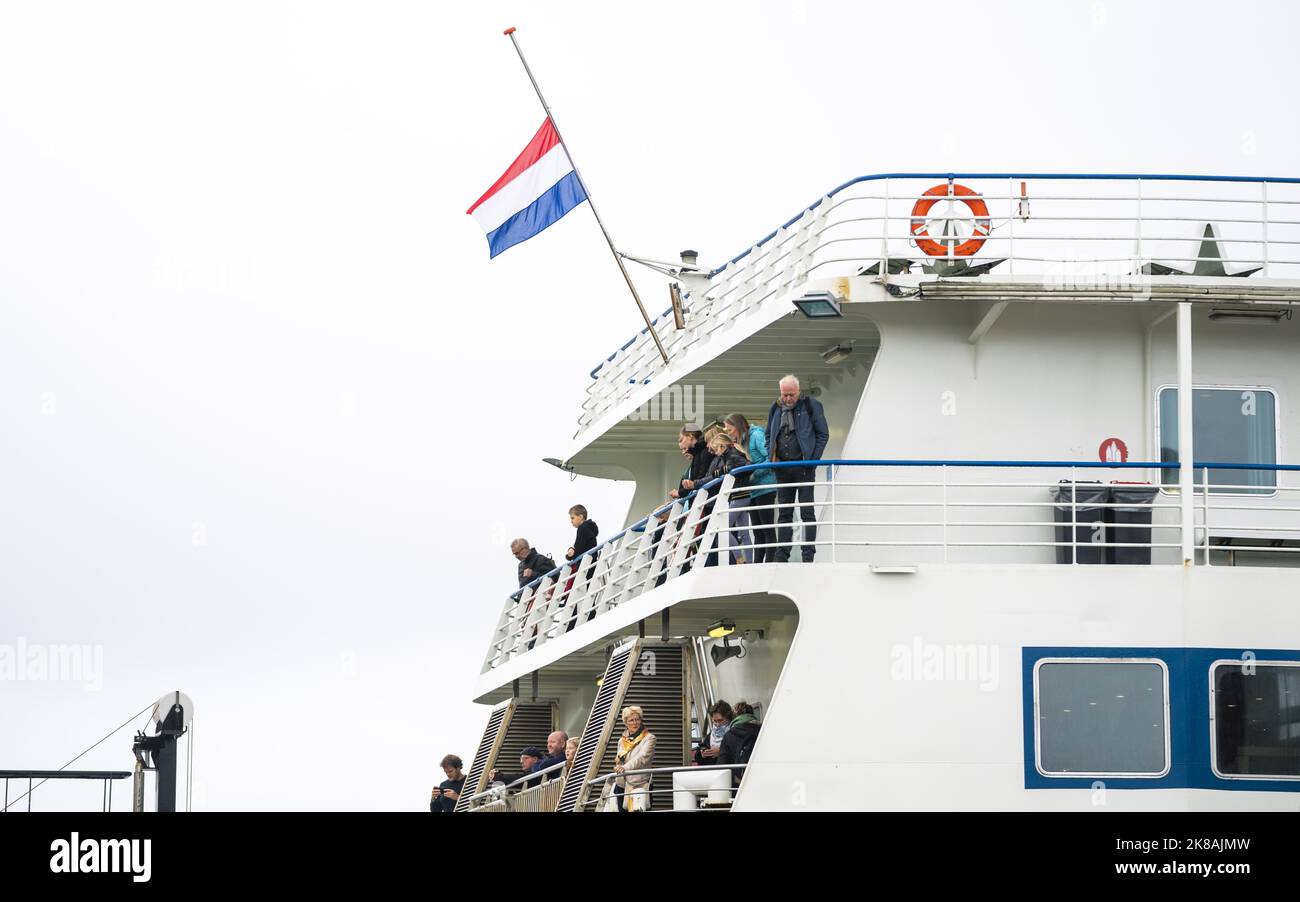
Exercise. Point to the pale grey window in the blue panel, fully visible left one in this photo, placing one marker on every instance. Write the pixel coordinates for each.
(1102, 718)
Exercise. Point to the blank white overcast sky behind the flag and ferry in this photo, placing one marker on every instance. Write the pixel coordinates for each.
(270, 417)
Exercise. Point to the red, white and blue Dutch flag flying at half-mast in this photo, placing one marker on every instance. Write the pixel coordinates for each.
(540, 188)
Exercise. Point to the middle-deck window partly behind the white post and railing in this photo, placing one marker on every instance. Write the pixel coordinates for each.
(1232, 427)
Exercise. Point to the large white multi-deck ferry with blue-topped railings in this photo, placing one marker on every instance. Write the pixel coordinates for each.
(1058, 517)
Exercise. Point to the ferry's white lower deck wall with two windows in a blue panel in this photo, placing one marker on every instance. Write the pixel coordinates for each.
(960, 687)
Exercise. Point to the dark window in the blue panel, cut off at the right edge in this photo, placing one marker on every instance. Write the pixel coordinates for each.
(1256, 719)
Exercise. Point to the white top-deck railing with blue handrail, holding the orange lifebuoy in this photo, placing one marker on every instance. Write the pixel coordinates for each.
(1063, 232)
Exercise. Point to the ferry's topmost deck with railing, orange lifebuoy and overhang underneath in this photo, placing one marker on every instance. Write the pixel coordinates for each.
(1058, 237)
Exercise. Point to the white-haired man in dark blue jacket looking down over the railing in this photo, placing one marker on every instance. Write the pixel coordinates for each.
(796, 431)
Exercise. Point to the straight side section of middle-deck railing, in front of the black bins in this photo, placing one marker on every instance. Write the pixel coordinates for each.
(873, 511)
